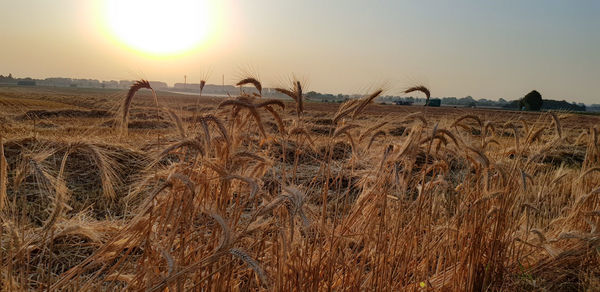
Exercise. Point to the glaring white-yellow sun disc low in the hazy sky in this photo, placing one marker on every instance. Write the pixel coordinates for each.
(159, 27)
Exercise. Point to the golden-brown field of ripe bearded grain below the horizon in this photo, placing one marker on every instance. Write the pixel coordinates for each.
(105, 190)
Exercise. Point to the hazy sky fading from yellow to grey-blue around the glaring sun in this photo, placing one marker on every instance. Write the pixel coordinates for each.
(486, 49)
